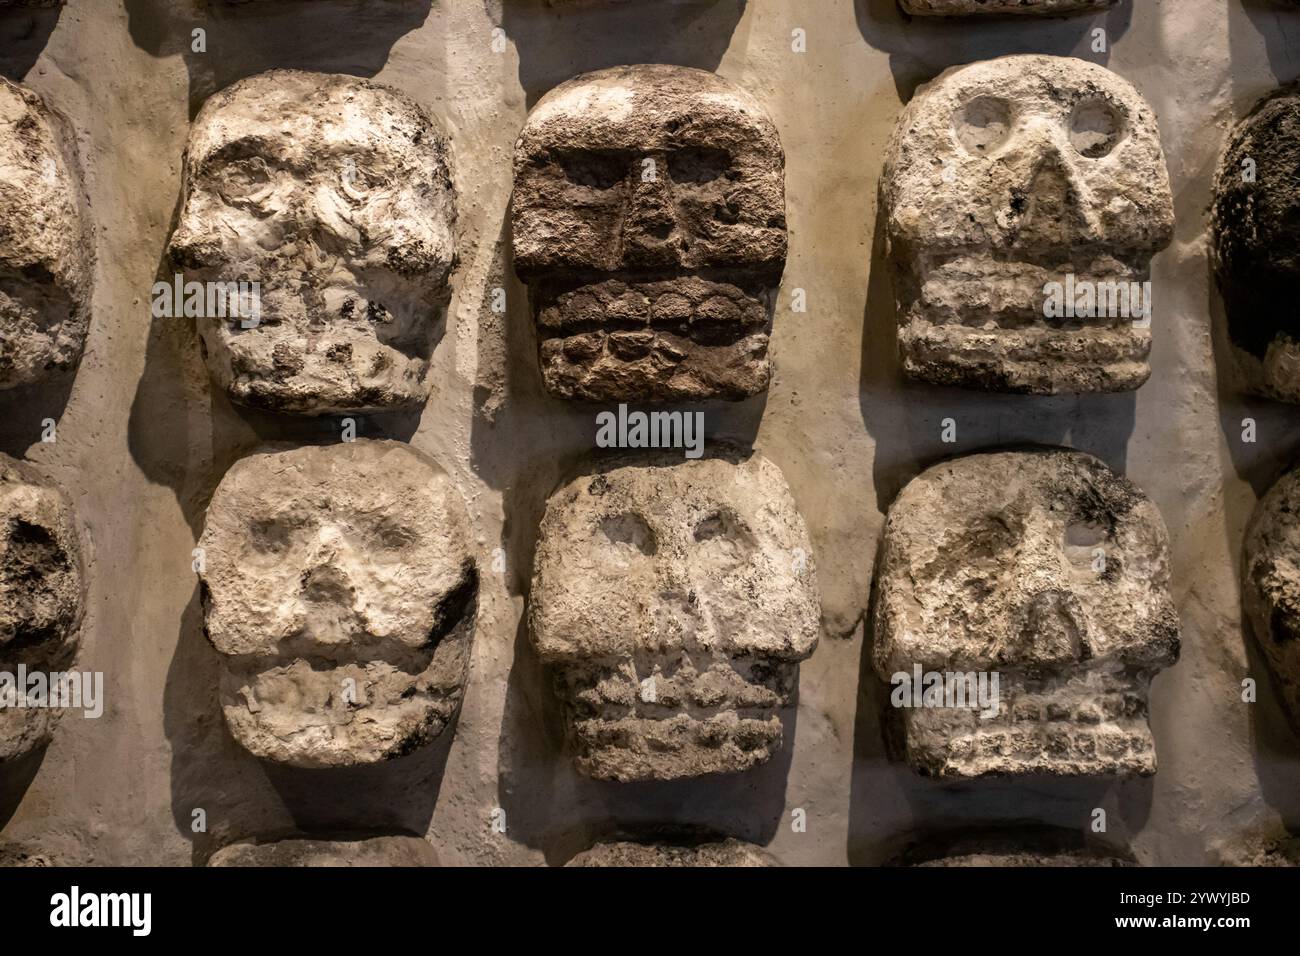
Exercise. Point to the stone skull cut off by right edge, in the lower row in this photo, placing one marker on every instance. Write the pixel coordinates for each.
(1271, 586)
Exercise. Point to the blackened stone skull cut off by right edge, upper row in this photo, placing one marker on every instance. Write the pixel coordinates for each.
(1256, 248)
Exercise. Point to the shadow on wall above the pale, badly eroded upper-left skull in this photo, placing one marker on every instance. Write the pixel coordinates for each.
(245, 40)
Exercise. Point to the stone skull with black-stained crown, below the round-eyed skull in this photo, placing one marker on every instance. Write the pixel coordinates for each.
(1050, 570)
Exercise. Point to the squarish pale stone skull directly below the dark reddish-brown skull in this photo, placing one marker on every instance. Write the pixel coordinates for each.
(674, 602)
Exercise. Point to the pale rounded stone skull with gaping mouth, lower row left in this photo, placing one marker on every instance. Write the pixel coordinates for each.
(340, 590)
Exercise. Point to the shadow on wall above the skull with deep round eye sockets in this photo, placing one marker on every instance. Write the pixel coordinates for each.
(924, 47)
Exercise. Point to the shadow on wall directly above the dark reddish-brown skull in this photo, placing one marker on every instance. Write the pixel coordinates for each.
(558, 44)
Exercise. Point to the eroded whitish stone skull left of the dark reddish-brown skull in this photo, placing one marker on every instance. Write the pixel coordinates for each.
(335, 196)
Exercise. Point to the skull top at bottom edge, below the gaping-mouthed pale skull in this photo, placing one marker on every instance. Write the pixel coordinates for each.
(344, 850)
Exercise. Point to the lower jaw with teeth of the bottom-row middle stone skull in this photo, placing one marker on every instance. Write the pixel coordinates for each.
(631, 750)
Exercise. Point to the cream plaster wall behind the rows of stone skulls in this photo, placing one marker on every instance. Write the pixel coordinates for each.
(144, 440)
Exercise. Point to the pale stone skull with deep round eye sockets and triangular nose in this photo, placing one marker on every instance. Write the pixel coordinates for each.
(1003, 180)
